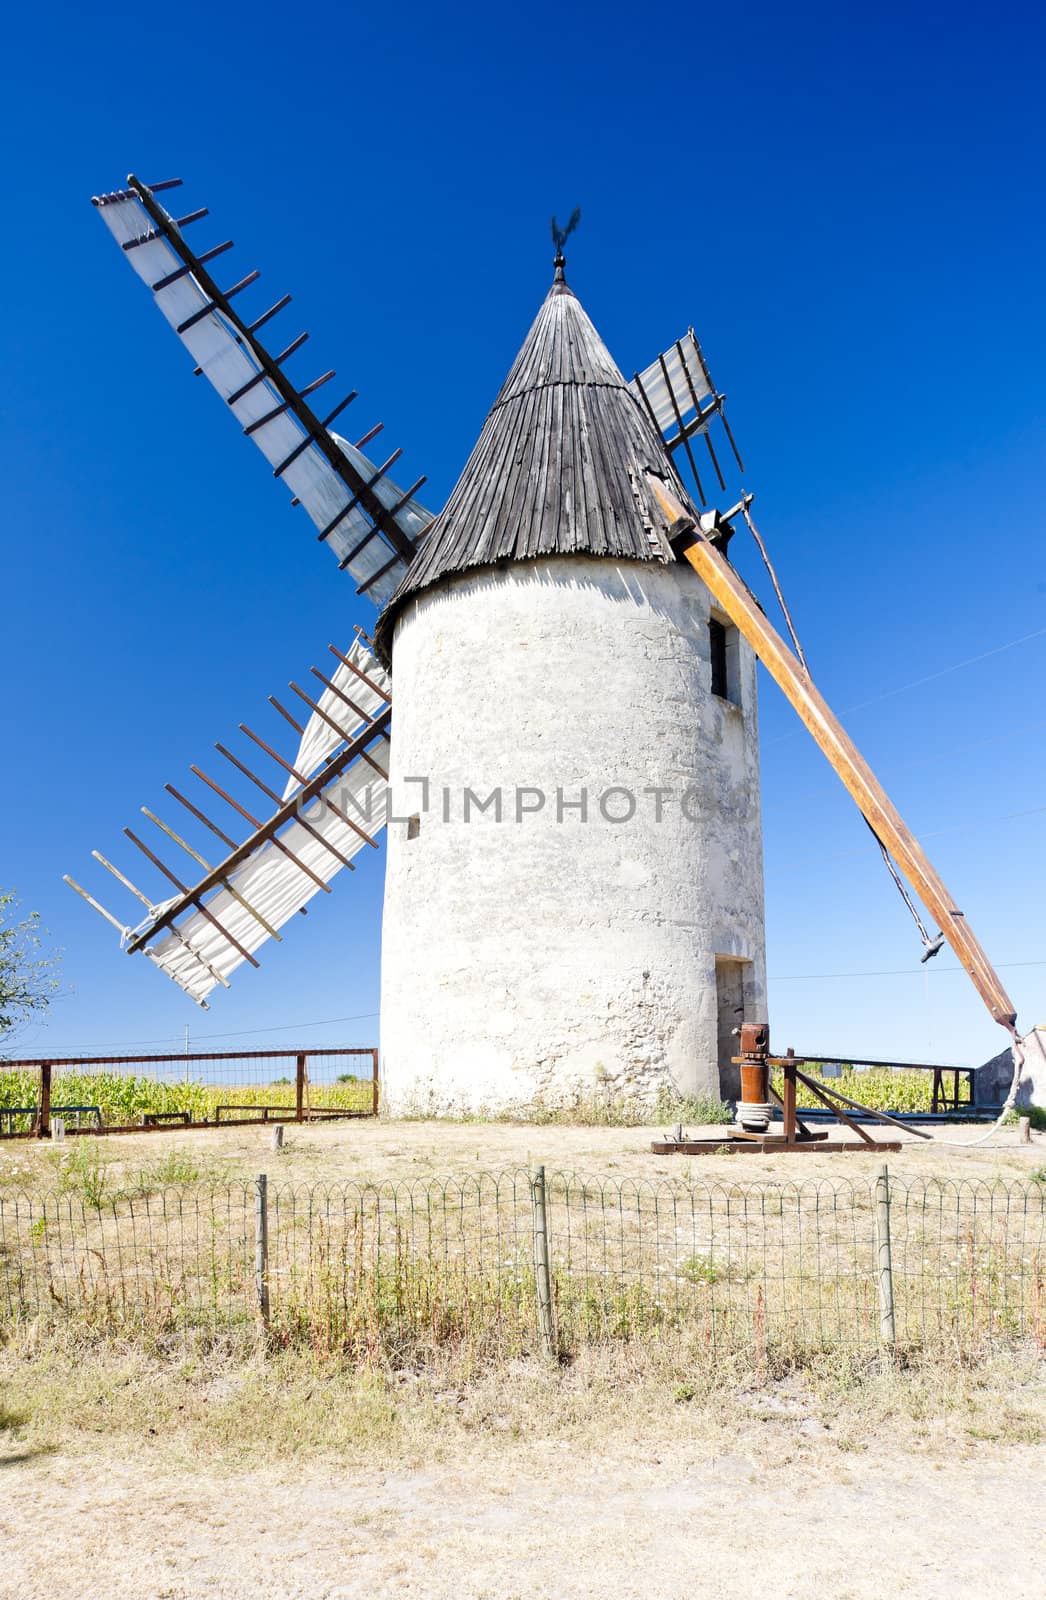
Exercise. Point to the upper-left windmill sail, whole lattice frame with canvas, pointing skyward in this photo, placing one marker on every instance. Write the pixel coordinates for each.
(369, 521)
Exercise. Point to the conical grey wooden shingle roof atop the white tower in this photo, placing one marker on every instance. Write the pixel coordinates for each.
(557, 470)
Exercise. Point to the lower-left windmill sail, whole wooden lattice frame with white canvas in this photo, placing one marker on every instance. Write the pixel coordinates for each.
(333, 804)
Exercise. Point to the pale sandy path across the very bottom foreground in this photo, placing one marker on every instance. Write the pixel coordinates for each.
(535, 1522)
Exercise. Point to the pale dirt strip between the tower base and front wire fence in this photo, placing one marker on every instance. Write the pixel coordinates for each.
(409, 1151)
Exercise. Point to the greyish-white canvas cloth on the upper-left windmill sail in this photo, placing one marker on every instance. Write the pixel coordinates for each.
(231, 367)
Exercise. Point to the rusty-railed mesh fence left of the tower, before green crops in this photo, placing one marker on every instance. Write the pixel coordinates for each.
(110, 1094)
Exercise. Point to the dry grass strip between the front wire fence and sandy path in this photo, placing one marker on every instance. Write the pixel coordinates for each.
(226, 1409)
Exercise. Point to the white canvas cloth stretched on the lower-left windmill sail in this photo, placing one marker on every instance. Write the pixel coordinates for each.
(196, 953)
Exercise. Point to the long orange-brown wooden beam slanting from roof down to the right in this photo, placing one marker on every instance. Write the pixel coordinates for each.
(727, 588)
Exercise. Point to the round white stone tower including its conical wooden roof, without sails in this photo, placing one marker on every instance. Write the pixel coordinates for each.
(575, 887)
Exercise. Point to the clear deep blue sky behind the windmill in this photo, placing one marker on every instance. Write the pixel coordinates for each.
(848, 207)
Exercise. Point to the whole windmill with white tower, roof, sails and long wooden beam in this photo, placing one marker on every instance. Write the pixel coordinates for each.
(572, 798)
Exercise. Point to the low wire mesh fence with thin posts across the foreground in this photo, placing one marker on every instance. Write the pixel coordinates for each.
(773, 1271)
